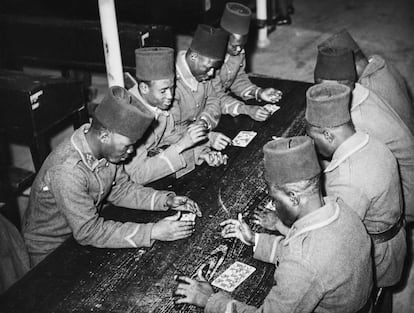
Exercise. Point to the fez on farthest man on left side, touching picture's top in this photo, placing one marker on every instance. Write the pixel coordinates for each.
(236, 18)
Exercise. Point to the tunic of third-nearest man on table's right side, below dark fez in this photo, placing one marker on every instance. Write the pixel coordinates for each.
(371, 115)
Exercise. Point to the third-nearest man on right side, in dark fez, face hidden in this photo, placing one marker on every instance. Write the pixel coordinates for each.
(370, 114)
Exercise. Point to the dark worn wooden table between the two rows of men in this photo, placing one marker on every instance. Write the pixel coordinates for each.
(87, 279)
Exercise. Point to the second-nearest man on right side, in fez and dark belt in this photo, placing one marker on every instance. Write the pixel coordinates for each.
(363, 173)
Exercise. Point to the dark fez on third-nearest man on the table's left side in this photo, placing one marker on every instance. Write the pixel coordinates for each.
(210, 42)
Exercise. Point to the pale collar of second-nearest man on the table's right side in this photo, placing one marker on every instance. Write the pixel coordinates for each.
(350, 146)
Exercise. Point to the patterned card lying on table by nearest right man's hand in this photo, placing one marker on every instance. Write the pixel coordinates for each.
(233, 276)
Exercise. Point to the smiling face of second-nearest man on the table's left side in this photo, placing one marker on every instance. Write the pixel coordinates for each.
(161, 93)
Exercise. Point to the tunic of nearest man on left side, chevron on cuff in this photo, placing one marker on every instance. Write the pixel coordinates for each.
(68, 194)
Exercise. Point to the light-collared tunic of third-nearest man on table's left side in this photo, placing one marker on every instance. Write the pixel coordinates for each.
(193, 100)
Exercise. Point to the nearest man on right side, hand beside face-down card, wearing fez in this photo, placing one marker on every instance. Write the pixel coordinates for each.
(323, 264)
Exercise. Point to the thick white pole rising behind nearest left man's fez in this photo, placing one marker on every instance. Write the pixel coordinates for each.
(110, 40)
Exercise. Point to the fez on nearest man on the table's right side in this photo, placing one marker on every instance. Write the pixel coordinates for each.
(289, 160)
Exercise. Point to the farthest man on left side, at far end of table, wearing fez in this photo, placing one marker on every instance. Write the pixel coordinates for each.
(232, 76)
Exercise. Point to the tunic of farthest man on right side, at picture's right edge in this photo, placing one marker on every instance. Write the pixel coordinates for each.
(384, 80)
